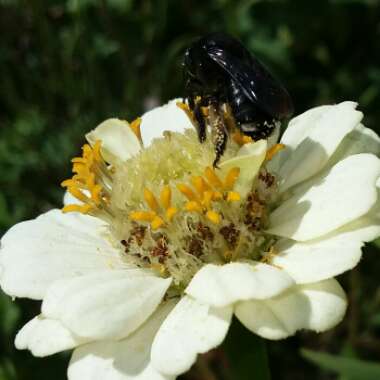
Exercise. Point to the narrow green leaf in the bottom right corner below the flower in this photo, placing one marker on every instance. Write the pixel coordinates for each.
(349, 368)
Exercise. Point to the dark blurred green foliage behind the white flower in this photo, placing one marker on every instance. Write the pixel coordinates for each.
(67, 65)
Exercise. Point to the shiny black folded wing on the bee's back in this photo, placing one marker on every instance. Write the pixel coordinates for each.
(255, 81)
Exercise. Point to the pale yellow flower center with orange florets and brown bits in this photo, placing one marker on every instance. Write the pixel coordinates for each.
(168, 210)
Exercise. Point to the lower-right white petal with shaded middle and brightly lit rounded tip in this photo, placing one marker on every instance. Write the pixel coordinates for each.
(318, 306)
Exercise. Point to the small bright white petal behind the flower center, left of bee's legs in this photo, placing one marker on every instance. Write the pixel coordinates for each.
(166, 118)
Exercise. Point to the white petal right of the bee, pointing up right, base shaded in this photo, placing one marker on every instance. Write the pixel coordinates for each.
(321, 137)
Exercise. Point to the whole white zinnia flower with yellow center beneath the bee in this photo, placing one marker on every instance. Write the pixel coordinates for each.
(173, 248)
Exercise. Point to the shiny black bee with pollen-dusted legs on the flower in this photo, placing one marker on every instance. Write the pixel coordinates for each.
(222, 75)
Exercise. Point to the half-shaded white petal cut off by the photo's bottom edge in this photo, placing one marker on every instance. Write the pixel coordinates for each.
(128, 359)
